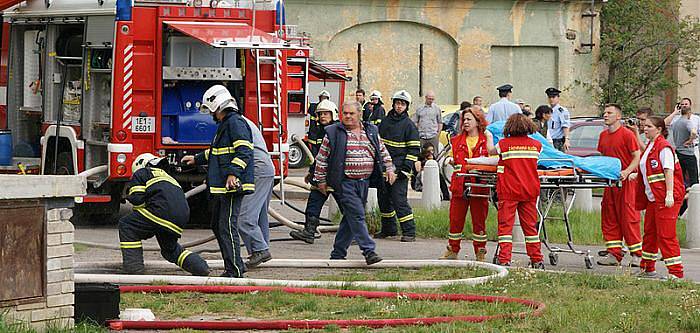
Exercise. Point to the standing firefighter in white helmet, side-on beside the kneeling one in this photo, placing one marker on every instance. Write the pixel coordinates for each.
(230, 173)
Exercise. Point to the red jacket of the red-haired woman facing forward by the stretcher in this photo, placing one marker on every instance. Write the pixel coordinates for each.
(460, 155)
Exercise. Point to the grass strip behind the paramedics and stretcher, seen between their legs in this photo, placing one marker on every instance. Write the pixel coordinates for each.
(585, 227)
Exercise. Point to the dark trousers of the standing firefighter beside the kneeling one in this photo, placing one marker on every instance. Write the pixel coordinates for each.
(224, 223)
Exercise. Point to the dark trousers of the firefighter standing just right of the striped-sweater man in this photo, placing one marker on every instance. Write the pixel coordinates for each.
(393, 205)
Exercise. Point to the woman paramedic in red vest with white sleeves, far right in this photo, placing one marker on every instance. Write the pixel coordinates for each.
(660, 192)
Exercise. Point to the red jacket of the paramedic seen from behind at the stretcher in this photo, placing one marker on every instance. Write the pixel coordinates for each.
(517, 178)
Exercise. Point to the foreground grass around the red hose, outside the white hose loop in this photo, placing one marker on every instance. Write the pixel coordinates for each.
(575, 303)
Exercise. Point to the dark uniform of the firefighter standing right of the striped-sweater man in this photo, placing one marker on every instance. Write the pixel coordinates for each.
(400, 136)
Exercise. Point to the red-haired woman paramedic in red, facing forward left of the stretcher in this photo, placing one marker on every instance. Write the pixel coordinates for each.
(469, 143)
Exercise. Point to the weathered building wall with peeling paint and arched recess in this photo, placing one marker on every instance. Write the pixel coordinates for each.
(469, 47)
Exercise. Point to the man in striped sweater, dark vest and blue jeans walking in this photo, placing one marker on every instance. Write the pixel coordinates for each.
(352, 158)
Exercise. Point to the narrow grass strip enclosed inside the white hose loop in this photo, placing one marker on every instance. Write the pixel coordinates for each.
(401, 274)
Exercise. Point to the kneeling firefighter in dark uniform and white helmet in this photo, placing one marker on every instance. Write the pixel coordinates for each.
(161, 210)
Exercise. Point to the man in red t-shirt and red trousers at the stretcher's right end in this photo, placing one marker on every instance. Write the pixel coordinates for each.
(618, 216)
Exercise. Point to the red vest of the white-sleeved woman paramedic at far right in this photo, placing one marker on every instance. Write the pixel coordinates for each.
(657, 179)
